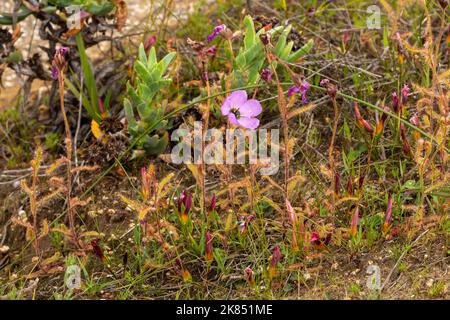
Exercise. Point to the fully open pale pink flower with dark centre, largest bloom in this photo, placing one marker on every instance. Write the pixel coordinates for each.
(241, 111)
